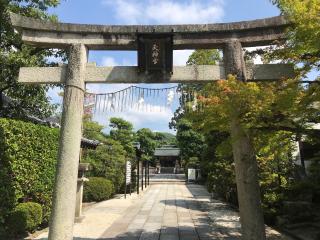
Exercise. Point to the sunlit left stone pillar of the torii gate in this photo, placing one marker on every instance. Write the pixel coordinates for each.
(64, 196)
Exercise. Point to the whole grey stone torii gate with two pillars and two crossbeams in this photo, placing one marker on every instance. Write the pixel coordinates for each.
(78, 39)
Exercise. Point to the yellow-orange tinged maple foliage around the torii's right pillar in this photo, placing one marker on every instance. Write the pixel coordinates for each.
(272, 114)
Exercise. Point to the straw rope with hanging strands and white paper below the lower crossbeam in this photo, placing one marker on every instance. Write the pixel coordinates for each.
(141, 99)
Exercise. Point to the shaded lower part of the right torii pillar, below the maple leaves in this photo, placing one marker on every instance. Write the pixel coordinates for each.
(251, 215)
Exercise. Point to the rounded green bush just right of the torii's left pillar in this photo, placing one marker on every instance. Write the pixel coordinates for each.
(97, 189)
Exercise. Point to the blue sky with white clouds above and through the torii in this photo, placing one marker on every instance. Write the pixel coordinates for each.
(151, 12)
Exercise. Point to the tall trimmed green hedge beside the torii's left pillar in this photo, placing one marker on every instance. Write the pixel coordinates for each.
(28, 155)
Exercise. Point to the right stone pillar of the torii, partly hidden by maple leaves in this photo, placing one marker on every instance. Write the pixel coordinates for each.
(251, 215)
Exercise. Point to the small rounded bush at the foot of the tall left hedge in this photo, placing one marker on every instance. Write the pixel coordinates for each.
(25, 217)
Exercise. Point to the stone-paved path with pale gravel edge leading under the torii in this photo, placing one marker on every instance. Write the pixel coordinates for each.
(164, 212)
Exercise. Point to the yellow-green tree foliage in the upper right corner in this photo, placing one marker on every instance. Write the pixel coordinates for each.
(301, 46)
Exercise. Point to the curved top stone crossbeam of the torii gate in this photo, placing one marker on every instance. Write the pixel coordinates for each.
(116, 37)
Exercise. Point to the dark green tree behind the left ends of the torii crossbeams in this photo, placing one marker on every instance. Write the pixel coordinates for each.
(14, 54)
